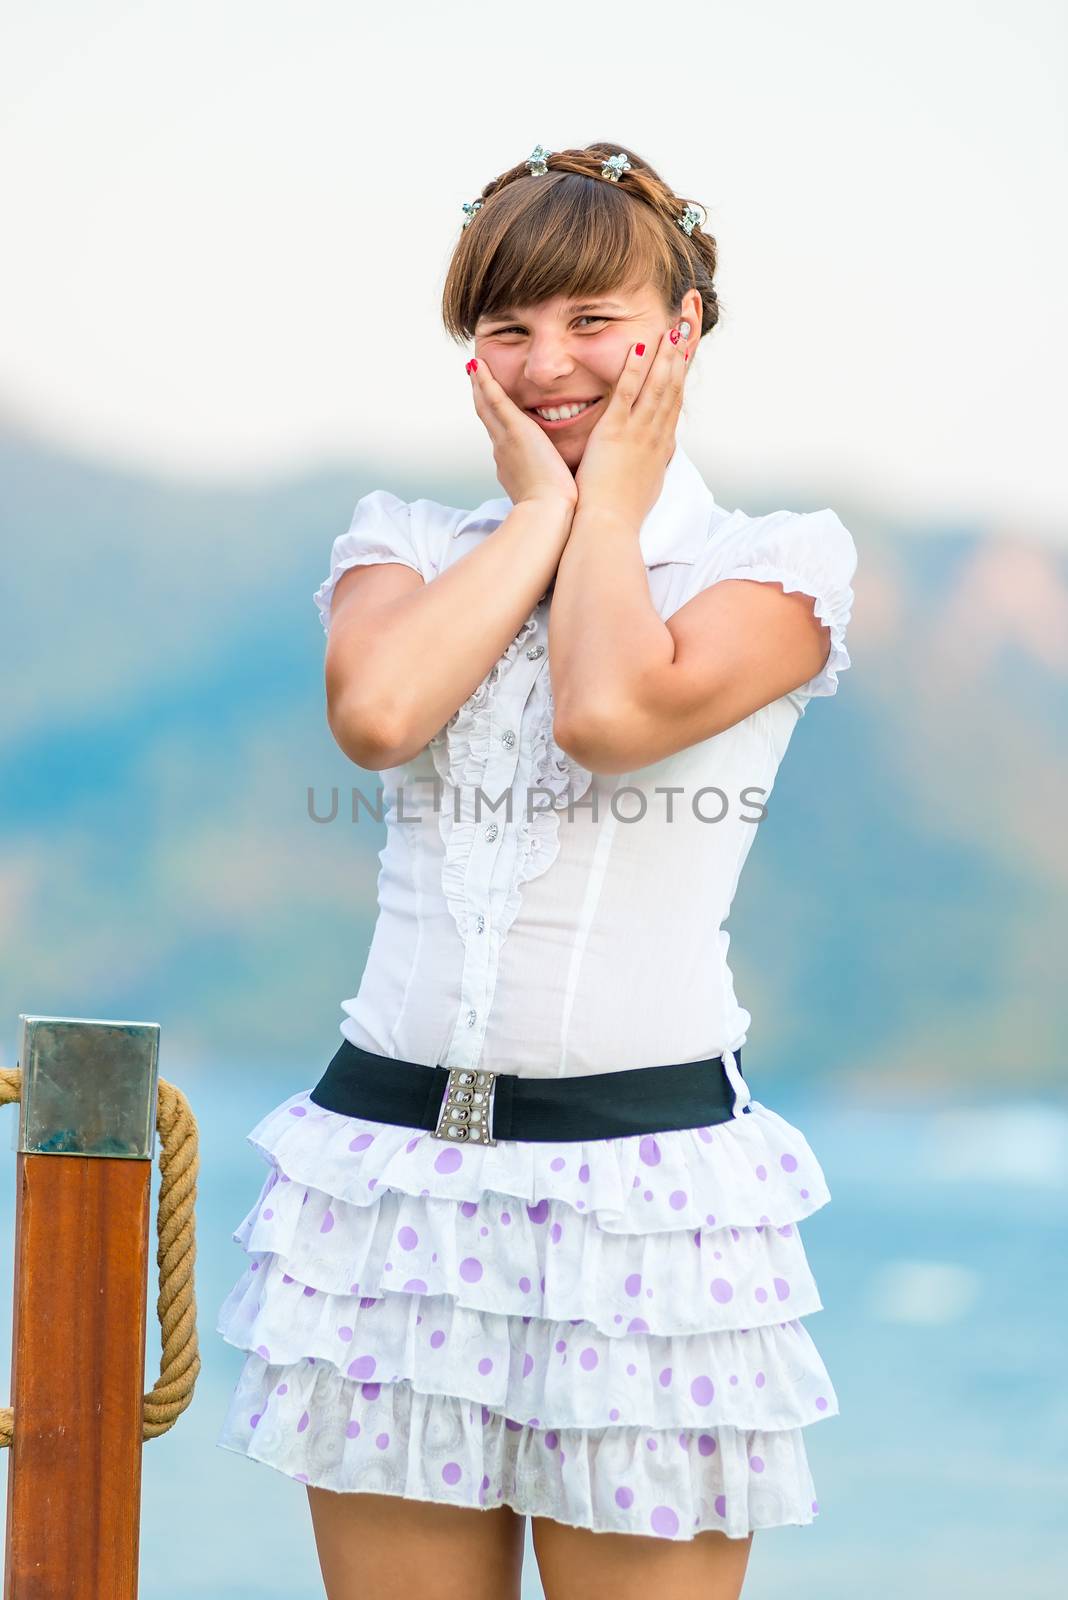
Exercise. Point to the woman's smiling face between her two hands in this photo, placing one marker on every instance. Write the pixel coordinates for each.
(567, 351)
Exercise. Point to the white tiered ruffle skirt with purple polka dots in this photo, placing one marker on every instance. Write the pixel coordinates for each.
(600, 1332)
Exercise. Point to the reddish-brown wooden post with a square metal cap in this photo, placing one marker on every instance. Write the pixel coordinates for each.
(87, 1132)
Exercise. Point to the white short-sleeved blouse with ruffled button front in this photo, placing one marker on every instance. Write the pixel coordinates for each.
(586, 938)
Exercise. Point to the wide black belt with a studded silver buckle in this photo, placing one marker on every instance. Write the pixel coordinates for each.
(479, 1106)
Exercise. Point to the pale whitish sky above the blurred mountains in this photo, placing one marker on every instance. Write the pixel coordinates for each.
(229, 226)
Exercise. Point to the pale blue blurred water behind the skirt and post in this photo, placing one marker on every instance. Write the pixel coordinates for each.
(941, 1262)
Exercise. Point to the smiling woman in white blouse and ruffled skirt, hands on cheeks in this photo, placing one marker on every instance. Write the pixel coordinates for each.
(564, 1279)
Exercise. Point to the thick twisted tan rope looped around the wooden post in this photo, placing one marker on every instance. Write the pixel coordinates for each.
(177, 1254)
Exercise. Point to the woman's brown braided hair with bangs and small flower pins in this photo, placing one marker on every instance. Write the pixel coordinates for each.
(573, 233)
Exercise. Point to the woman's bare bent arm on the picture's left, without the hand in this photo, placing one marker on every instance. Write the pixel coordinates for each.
(404, 655)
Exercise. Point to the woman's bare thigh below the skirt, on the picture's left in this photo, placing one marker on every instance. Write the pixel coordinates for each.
(389, 1548)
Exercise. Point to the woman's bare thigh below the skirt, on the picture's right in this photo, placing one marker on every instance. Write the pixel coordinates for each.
(578, 1564)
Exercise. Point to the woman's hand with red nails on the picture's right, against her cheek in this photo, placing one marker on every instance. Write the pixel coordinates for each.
(631, 446)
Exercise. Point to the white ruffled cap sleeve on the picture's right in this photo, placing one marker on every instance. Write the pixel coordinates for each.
(813, 553)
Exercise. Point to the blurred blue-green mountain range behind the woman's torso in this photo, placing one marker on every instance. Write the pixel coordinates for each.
(901, 918)
